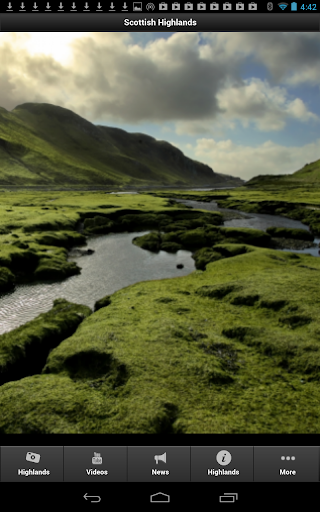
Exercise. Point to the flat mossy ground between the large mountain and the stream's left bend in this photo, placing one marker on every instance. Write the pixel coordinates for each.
(38, 228)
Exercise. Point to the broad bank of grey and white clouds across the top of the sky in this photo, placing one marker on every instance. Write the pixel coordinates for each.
(190, 79)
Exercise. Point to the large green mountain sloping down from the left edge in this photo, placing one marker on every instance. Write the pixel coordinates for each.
(43, 144)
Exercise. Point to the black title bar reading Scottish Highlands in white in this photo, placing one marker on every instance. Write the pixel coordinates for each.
(209, 22)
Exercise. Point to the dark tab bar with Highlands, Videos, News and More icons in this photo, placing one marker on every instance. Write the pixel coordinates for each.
(159, 464)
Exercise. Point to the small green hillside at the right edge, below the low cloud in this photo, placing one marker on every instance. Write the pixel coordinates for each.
(309, 174)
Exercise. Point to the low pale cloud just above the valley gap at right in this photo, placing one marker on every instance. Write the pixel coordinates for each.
(246, 161)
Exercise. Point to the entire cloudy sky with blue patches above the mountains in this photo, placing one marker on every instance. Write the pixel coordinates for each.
(244, 103)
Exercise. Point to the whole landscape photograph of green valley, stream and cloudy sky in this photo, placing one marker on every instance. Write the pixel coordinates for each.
(159, 233)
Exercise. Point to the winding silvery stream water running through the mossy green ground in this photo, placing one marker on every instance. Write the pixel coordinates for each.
(115, 264)
